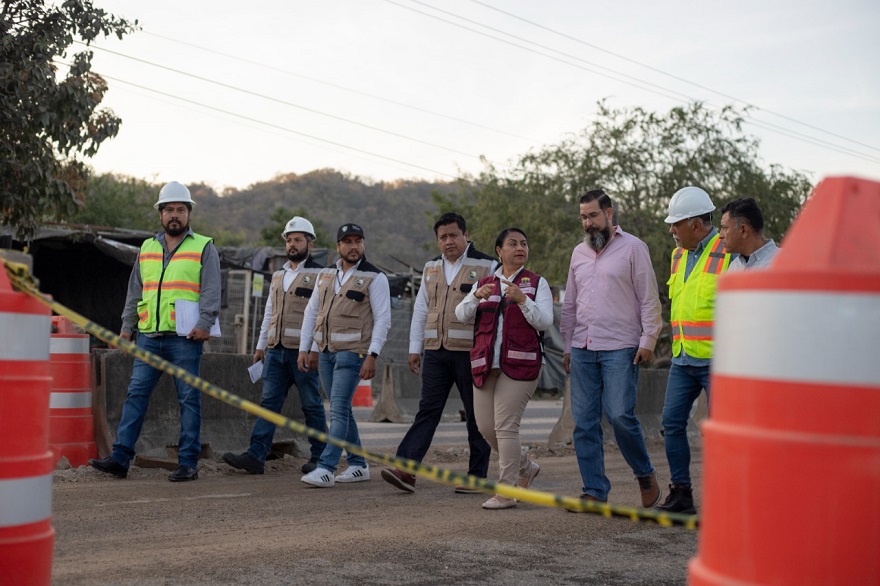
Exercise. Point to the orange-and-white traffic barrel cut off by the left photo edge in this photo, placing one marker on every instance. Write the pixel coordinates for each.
(26, 533)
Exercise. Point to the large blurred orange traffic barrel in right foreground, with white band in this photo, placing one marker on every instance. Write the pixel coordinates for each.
(792, 448)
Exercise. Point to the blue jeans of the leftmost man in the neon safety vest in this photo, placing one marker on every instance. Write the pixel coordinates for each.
(186, 354)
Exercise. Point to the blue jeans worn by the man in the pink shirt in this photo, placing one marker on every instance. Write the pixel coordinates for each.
(606, 380)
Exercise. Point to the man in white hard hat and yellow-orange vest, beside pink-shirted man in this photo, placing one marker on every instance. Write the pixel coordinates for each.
(696, 266)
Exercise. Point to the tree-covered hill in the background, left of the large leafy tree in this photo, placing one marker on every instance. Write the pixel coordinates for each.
(396, 217)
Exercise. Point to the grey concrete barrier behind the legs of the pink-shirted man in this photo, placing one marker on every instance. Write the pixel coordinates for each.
(649, 410)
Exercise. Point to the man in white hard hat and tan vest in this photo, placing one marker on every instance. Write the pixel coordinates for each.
(278, 348)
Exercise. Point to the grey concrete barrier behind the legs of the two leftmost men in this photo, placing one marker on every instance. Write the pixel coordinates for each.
(224, 427)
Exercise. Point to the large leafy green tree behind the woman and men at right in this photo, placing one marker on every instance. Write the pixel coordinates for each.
(640, 159)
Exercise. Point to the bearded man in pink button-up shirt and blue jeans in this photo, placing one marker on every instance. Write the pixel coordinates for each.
(610, 323)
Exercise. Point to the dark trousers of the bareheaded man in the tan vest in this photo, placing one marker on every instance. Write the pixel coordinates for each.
(440, 369)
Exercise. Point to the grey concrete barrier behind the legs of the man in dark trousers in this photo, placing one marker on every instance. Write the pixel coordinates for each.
(400, 393)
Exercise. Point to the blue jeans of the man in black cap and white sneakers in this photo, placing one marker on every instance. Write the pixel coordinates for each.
(340, 375)
